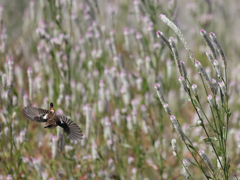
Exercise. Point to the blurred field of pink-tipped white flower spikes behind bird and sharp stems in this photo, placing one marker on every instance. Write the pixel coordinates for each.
(98, 61)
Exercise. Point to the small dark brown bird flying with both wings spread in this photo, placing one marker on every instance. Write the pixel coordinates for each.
(74, 133)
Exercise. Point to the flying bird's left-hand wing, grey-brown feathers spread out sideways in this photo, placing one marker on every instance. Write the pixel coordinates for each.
(35, 114)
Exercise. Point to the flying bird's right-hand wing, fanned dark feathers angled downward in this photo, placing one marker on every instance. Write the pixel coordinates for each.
(71, 129)
